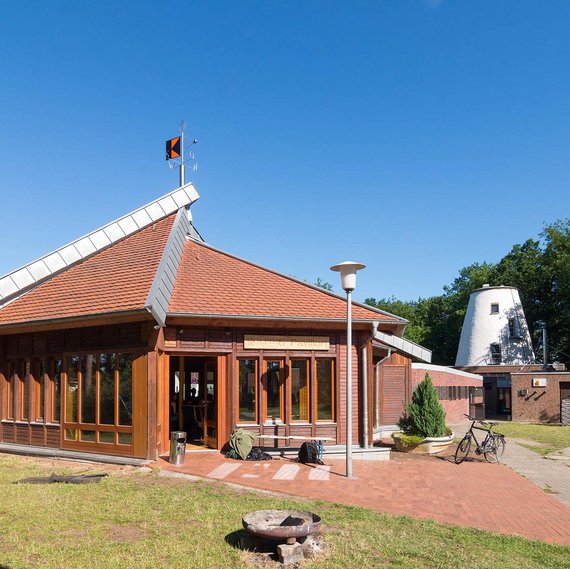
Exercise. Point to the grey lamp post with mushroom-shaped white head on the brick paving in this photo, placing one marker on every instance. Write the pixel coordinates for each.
(347, 271)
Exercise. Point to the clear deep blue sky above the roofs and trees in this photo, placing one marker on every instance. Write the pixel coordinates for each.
(416, 137)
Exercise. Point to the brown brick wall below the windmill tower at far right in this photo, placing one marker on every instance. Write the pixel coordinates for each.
(538, 404)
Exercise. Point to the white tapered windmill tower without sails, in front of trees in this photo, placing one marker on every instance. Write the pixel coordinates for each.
(494, 331)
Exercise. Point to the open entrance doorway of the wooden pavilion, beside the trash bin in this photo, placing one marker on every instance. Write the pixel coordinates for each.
(193, 387)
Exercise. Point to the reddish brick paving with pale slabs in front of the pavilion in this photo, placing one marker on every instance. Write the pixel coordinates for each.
(473, 494)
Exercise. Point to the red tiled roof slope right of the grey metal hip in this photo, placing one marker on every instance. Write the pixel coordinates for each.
(212, 282)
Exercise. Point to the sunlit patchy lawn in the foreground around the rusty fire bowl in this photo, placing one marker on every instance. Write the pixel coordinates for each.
(141, 520)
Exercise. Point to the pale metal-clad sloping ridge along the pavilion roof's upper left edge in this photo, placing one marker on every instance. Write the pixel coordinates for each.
(28, 276)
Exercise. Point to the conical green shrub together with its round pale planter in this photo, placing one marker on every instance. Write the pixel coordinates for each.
(423, 428)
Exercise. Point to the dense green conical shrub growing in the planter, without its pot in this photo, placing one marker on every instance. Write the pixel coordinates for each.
(424, 416)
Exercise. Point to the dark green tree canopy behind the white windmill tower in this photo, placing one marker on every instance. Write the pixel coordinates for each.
(539, 269)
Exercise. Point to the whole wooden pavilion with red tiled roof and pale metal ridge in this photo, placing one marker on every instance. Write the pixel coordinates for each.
(140, 328)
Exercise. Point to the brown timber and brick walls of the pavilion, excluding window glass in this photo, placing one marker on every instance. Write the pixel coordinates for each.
(225, 341)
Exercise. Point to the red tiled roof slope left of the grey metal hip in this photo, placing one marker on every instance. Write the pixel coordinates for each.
(115, 279)
